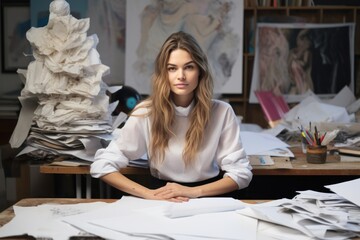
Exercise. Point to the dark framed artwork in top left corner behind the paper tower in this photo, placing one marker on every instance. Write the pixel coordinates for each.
(15, 21)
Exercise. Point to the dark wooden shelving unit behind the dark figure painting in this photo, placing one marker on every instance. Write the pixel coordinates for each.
(315, 14)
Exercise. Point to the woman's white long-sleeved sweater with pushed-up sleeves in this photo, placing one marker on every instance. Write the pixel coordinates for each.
(221, 149)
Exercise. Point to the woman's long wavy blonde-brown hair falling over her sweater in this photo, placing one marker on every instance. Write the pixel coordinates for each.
(162, 112)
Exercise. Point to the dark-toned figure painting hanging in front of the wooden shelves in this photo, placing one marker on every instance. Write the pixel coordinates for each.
(294, 60)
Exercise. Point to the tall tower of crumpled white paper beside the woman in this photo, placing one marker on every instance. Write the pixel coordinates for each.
(65, 108)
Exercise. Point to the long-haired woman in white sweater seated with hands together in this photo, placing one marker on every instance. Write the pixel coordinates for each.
(187, 136)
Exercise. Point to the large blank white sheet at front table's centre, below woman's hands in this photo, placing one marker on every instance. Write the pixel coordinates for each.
(223, 225)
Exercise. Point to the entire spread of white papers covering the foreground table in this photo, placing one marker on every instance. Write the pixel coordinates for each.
(310, 215)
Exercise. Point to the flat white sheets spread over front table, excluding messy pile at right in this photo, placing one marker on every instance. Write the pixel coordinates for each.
(135, 218)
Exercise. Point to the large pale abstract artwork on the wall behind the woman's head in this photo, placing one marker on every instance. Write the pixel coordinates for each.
(217, 26)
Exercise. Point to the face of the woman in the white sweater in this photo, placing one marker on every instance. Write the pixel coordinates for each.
(183, 76)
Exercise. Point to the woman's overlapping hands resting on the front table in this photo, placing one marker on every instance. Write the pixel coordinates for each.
(176, 192)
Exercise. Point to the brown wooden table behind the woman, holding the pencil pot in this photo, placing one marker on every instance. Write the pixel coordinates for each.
(299, 167)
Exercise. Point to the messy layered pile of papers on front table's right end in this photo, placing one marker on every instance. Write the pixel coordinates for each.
(315, 214)
